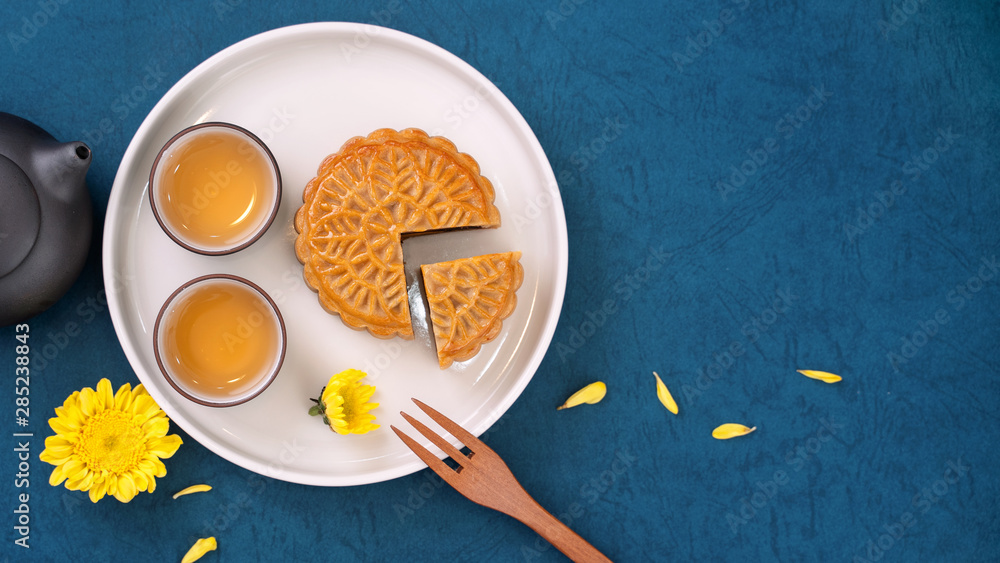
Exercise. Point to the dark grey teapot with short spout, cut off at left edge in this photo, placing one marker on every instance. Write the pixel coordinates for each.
(45, 217)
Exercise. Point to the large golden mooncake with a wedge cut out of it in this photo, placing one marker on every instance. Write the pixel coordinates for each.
(363, 198)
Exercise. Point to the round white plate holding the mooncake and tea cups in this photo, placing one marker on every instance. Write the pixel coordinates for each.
(305, 90)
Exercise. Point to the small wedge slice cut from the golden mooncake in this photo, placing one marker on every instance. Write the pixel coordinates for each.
(468, 301)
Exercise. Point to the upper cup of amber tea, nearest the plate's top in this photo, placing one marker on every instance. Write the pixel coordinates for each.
(215, 188)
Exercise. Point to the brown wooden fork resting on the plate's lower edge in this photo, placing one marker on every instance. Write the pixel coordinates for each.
(485, 479)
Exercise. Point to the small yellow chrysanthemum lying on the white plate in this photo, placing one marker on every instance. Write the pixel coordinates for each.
(344, 404)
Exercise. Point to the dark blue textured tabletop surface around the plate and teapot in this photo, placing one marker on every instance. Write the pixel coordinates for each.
(641, 124)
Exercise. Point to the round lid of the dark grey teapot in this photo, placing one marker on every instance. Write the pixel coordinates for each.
(20, 216)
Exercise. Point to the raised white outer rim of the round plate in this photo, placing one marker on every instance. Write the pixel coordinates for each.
(113, 229)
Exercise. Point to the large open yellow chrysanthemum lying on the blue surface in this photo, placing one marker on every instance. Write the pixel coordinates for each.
(109, 443)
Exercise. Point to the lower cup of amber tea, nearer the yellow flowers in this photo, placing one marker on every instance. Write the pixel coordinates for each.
(219, 340)
